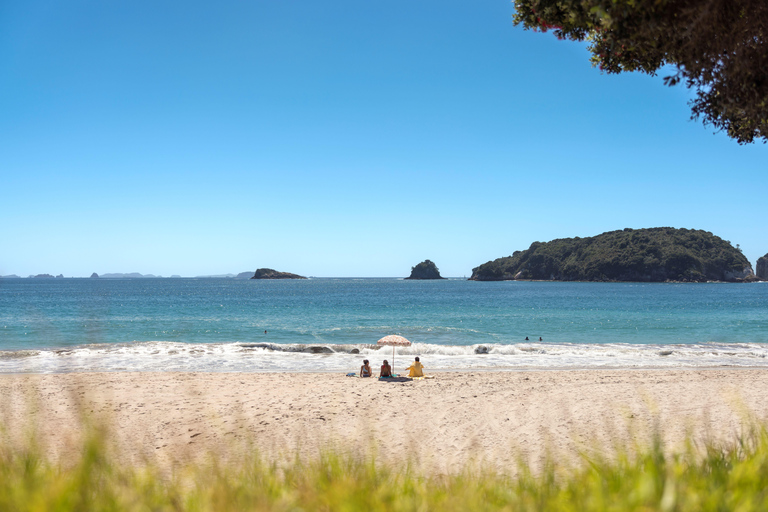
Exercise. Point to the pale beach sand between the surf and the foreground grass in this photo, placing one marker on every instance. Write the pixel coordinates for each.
(444, 423)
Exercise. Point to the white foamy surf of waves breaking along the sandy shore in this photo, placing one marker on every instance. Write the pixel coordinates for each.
(266, 357)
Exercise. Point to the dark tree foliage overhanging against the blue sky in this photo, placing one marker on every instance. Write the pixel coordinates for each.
(718, 48)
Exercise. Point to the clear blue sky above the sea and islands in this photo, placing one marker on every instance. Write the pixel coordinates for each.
(339, 138)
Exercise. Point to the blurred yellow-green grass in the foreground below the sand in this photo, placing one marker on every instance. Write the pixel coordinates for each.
(704, 478)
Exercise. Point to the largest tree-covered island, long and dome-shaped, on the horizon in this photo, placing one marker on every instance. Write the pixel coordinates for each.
(641, 255)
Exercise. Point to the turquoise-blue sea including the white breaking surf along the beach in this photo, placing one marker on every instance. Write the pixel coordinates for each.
(49, 325)
